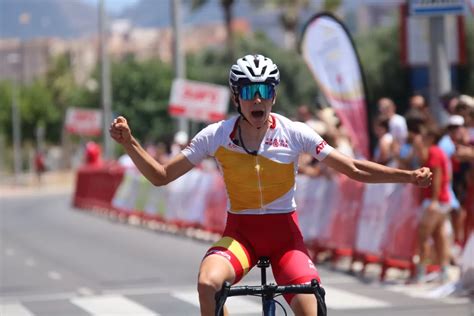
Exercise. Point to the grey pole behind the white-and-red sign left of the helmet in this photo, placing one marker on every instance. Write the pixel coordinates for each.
(178, 53)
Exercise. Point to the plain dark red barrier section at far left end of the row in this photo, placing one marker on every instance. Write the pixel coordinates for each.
(96, 186)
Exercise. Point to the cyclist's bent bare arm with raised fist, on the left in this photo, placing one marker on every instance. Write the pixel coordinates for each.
(155, 172)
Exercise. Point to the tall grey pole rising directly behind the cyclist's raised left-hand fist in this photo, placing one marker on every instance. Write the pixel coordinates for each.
(106, 95)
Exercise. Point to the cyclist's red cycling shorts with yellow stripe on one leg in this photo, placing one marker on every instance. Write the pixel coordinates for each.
(248, 237)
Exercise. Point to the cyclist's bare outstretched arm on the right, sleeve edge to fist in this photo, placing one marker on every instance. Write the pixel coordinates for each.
(371, 172)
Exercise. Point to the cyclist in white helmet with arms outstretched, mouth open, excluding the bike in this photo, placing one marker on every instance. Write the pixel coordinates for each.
(257, 153)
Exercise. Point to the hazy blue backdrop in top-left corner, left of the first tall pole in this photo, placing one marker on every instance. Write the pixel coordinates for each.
(28, 19)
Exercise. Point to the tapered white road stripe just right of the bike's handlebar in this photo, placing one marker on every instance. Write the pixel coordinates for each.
(339, 299)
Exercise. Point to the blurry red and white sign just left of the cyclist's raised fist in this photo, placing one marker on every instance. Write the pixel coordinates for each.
(83, 122)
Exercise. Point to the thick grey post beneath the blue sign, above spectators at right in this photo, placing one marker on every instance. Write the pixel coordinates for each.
(439, 68)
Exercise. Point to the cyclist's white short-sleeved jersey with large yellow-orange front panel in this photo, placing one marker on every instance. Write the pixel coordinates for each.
(263, 183)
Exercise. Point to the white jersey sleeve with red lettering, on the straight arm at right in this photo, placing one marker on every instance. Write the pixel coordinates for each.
(311, 142)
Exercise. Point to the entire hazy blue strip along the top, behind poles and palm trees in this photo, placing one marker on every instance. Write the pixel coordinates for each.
(73, 18)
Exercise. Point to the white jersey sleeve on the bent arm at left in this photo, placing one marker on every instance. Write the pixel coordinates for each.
(202, 145)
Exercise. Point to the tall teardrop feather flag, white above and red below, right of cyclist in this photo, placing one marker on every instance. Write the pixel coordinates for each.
(329, 52)
